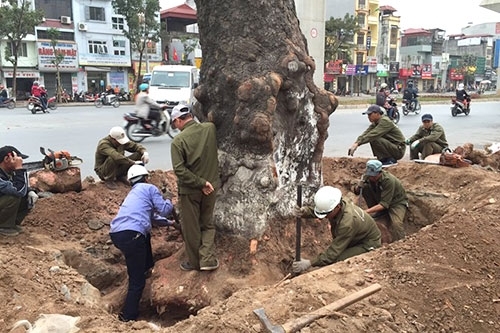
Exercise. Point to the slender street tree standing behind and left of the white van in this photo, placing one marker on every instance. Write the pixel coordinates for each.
(143, 25)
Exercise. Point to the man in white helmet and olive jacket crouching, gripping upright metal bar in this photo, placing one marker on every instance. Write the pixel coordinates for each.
(353, 230)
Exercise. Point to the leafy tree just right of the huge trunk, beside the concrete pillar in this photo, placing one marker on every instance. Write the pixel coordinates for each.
(339, 34)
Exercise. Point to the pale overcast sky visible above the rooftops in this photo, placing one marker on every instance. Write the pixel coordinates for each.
(450, 15)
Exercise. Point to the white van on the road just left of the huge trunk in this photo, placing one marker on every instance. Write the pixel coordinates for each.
(173, 84)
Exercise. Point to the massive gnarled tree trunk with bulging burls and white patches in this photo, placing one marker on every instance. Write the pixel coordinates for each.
(257, 87)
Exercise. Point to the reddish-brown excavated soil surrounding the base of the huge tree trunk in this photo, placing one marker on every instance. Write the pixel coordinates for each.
(442, 277)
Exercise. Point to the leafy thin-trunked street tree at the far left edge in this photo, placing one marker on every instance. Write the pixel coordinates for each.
(18, 20)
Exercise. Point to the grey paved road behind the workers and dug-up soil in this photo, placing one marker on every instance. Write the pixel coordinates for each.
(78, 128)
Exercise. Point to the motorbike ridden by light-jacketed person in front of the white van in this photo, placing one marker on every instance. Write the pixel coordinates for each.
(138, 129)
